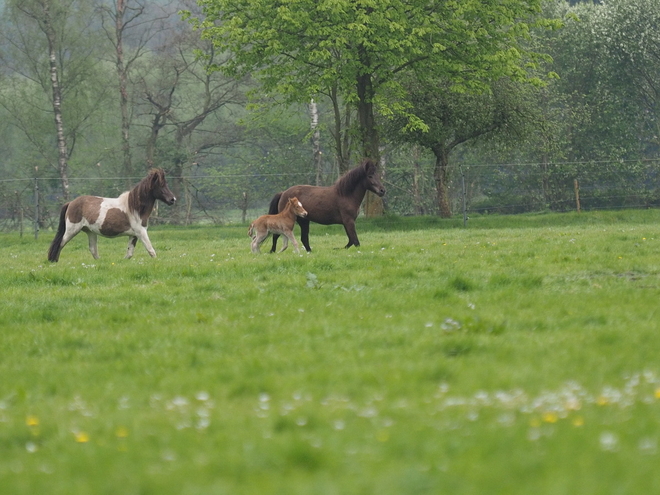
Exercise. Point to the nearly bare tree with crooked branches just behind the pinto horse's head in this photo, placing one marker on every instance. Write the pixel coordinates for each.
(185, 100)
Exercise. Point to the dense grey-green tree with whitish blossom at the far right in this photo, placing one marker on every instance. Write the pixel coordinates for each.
(593, 124)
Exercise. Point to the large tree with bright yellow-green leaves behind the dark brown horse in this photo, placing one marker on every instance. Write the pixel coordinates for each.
(303, 49)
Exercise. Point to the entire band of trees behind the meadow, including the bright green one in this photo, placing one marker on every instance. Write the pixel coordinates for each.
(430, 72)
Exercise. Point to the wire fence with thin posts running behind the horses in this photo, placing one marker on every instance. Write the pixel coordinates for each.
(31, 205)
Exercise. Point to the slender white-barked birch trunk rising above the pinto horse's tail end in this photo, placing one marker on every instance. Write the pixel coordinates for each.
(63, 153)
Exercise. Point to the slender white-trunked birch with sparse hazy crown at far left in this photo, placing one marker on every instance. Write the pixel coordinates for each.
(49, 58)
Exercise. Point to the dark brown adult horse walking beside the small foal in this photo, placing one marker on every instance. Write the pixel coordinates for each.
(339, 203)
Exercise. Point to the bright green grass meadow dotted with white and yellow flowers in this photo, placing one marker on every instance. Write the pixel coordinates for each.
(517, 356)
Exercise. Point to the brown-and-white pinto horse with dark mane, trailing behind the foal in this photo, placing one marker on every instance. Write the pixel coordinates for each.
(111, 217)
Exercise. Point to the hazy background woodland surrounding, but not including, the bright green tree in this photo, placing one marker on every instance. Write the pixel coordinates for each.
(93, 94)
